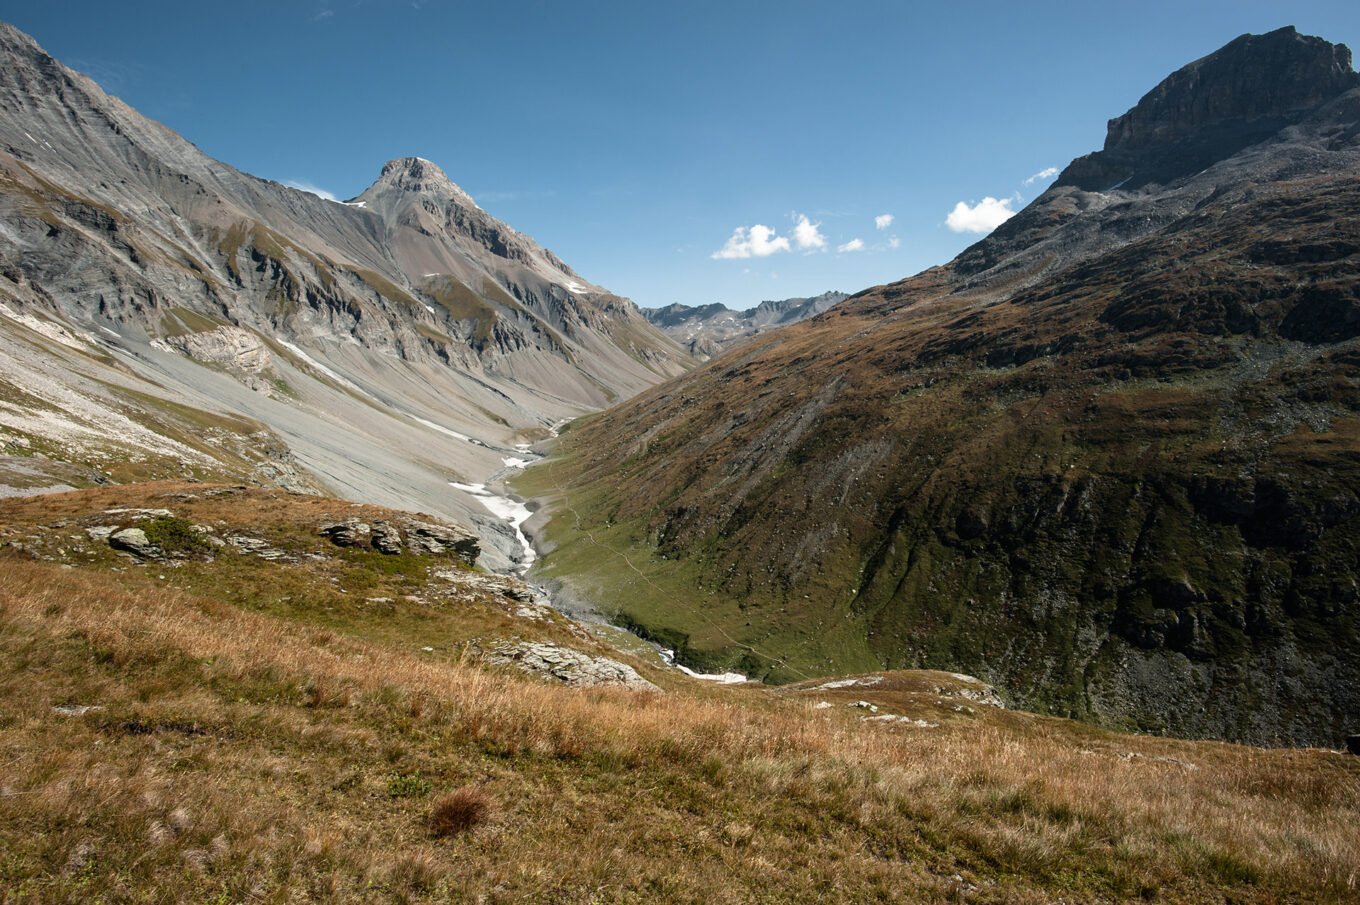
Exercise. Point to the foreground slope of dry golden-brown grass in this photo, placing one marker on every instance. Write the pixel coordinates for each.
(281, 737)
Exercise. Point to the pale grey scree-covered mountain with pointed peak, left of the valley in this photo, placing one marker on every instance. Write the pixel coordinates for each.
(167, 315)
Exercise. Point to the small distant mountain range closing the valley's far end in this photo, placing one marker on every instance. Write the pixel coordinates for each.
(711, 330)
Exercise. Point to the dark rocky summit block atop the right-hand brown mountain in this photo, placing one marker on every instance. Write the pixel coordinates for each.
(1238, 96)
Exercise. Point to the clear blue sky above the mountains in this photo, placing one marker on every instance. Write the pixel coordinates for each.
(671, 152)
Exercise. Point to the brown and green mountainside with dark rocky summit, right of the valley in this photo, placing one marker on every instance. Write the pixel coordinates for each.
(1108, 459)
